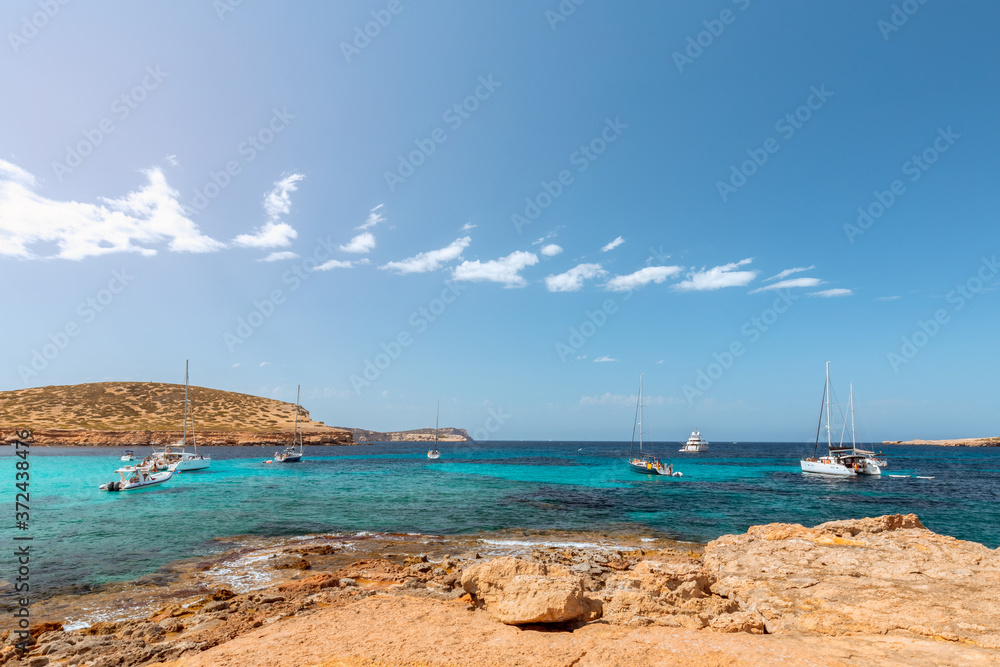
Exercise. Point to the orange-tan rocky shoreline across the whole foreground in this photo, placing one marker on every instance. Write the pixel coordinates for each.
(871, 591)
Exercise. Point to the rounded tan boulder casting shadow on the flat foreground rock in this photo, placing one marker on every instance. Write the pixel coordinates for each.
(519, 592)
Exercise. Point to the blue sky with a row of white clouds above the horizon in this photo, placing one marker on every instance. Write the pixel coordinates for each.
(513, 208)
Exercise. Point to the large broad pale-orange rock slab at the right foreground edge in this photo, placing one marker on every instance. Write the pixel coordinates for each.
(867, 576)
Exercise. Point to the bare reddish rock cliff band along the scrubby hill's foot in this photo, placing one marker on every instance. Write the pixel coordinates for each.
(106, 438)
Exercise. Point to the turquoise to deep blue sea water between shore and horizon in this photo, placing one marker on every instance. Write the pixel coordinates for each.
(84, 537)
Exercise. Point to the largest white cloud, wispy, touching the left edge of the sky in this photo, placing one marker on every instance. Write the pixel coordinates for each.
(150, 215)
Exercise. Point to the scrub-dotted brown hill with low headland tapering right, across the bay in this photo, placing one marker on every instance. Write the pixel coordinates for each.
(134, 414)
